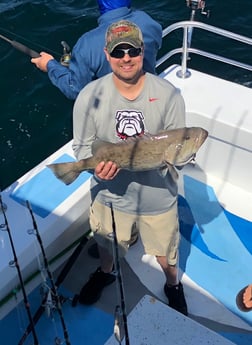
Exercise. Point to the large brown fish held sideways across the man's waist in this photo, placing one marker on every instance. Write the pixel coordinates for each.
(165, 150)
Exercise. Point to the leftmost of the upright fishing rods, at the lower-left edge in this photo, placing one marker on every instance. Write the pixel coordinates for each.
(14, 262)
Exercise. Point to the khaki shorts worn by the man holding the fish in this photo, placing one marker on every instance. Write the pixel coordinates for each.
(159, 233)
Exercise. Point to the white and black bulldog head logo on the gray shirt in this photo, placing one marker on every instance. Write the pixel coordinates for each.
(129, 123)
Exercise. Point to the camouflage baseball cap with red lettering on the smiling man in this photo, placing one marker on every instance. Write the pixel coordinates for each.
(121, 32)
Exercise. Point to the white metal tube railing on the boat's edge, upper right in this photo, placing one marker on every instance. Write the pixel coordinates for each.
(187, 49)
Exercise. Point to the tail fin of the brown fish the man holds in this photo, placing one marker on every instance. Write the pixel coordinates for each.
(64, 171)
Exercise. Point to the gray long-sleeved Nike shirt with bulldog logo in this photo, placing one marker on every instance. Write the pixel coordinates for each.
(101, 112)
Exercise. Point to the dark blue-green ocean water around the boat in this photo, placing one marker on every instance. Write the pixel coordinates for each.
(35, 118)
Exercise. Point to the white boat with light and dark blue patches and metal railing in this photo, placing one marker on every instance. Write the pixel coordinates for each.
(215, 198)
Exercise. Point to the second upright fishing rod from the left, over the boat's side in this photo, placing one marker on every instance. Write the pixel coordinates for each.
(49, 273)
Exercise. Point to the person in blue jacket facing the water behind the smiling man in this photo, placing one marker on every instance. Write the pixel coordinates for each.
(88, 60)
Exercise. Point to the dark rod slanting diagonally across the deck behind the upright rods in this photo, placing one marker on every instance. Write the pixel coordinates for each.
(62, 275)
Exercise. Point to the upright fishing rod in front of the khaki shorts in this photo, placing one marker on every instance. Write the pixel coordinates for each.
(121, 325)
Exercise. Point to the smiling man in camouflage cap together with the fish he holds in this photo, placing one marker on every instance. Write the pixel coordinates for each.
(123, 107)
